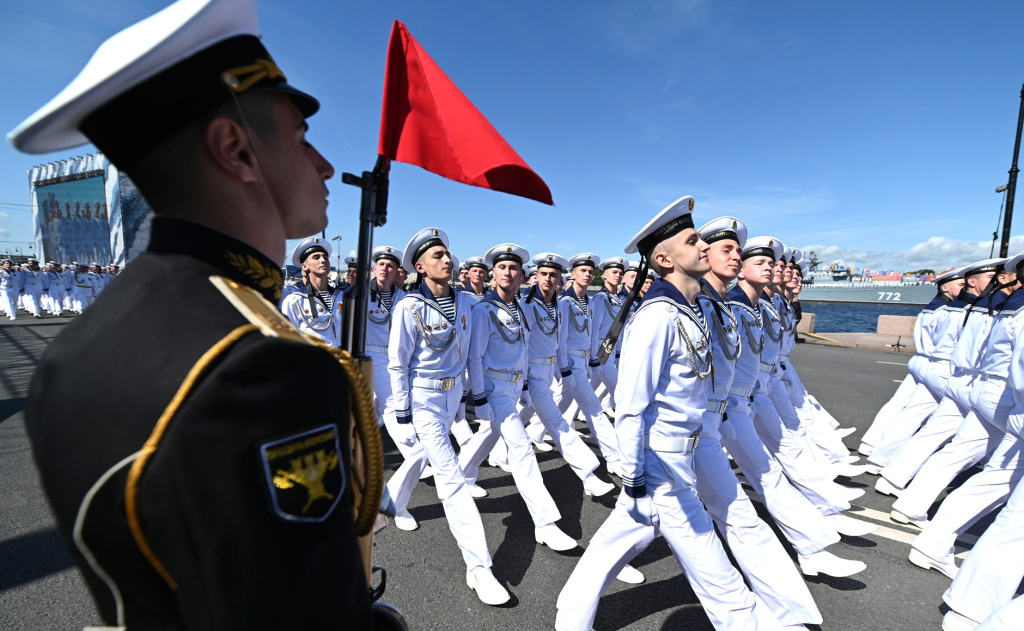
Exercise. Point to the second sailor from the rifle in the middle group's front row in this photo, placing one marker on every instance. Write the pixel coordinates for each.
(498, 365)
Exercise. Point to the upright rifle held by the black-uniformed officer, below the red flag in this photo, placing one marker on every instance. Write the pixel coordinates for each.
(368, 450)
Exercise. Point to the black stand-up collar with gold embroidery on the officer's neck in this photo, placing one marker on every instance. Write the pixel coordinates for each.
(236, 260)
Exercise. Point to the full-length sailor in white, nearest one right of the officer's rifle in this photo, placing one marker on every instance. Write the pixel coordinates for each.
(428, 355)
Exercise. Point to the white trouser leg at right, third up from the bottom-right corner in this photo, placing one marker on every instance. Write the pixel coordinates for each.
(978, 436)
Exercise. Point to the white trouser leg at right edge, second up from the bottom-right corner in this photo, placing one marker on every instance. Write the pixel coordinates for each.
(980, 495)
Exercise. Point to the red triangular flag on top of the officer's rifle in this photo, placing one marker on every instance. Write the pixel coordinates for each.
(428, 121)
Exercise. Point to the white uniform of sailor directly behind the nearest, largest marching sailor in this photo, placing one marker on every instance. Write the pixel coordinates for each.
(762, 559)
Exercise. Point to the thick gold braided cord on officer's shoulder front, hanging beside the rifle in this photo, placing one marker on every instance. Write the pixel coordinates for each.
(368, 449)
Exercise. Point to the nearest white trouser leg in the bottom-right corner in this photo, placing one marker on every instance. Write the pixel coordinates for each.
(990, 577)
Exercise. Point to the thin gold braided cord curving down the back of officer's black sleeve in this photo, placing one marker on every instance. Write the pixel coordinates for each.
(132, 491)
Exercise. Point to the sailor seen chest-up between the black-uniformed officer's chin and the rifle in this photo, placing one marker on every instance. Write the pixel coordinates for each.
(317, 311)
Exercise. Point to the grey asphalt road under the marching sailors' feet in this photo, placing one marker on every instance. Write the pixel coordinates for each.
(40, 588)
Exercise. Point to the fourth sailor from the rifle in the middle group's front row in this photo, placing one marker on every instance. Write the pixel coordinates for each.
(575, 308)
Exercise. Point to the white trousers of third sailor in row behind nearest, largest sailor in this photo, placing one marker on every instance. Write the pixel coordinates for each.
(800, 521)
